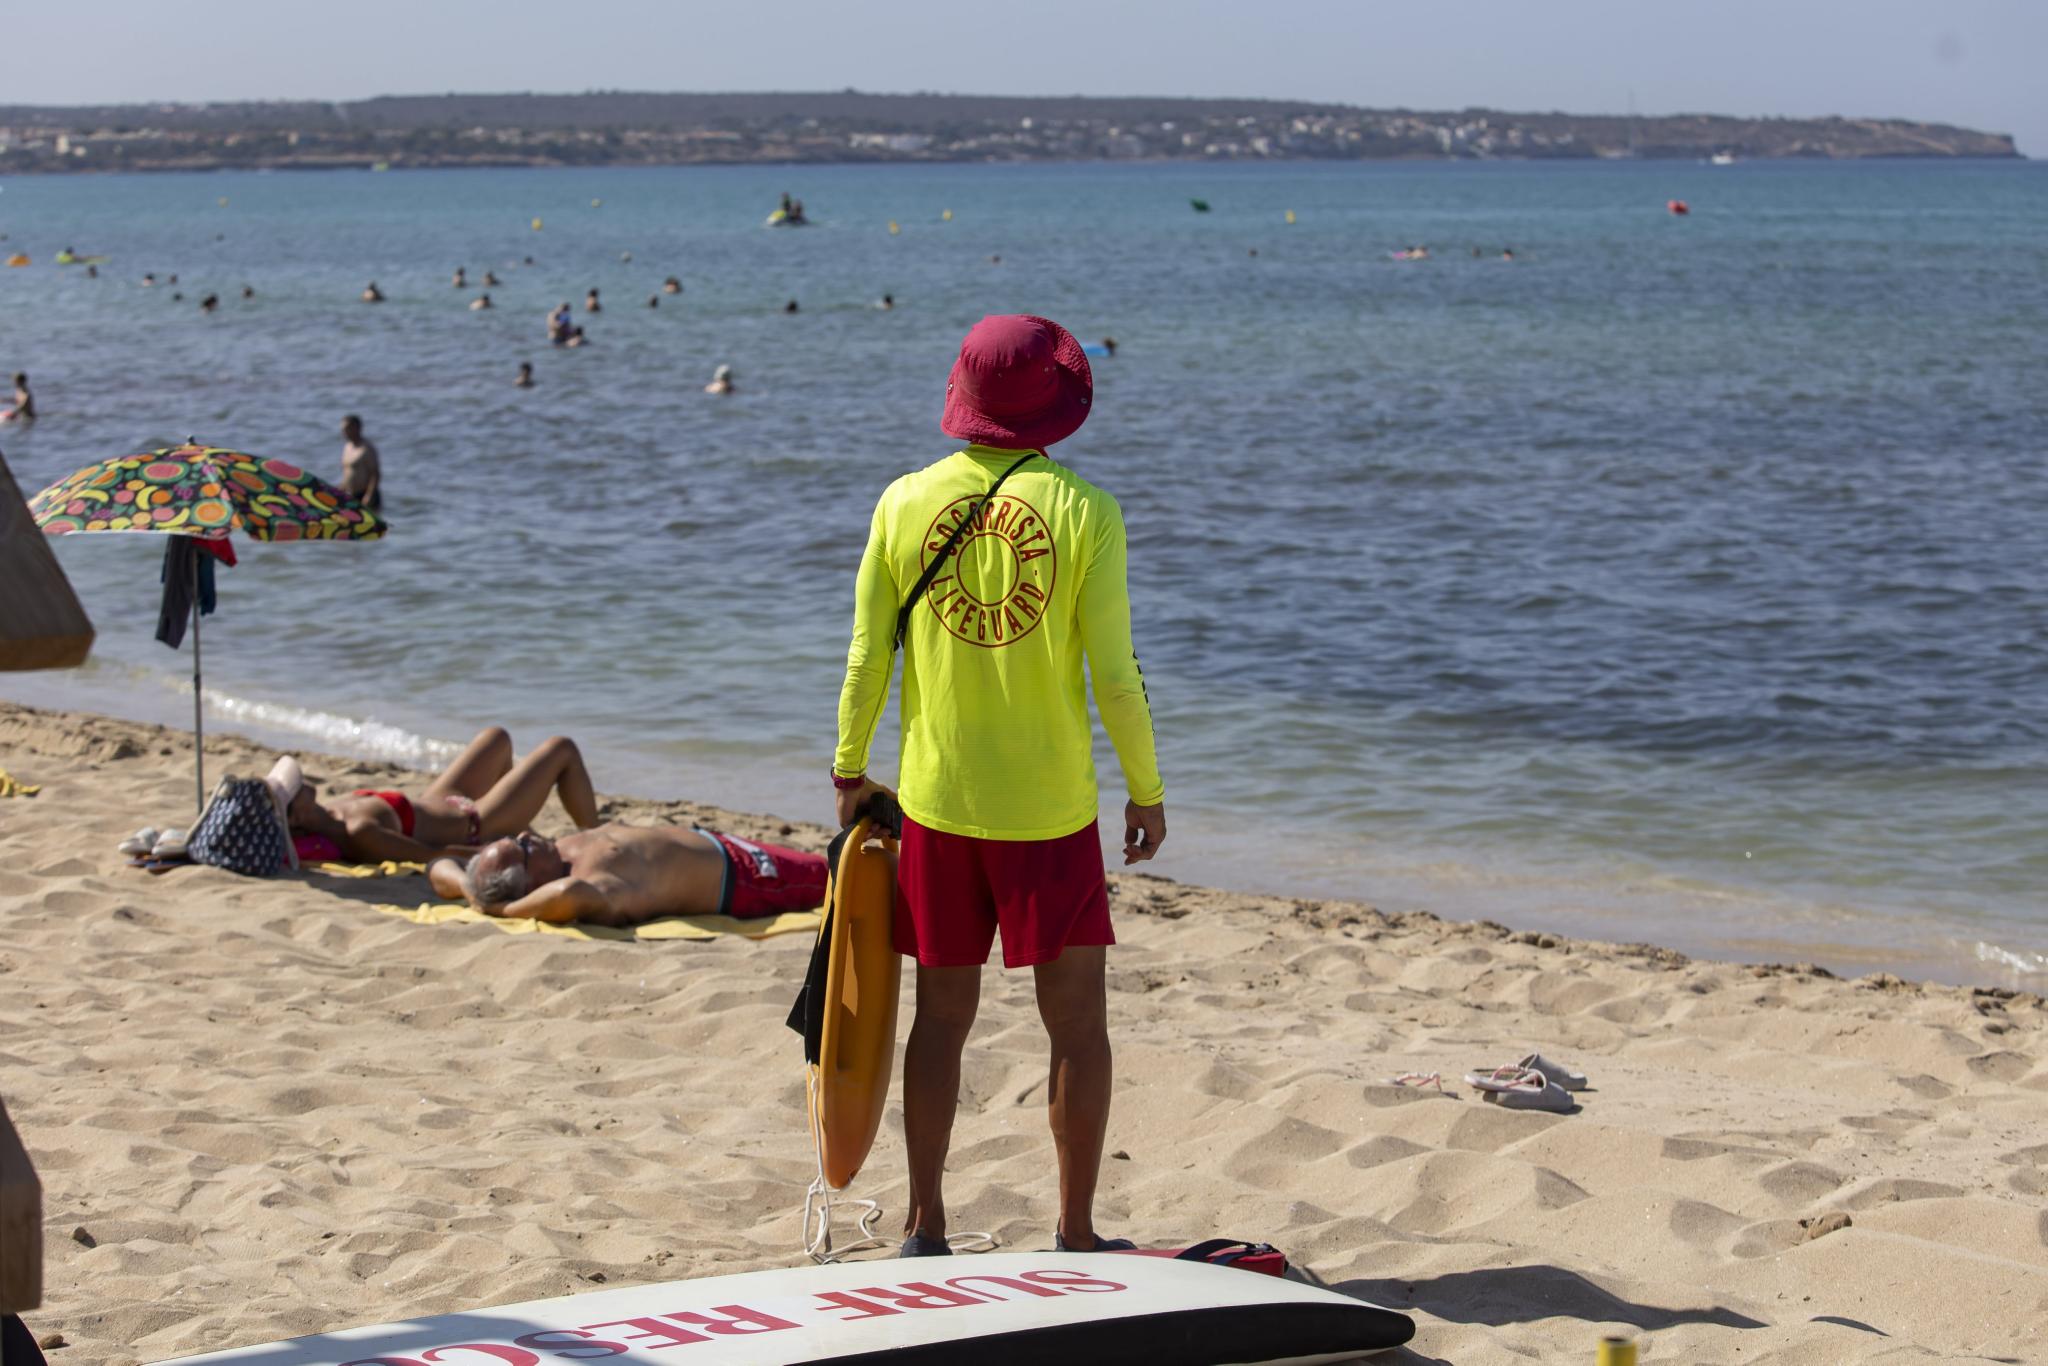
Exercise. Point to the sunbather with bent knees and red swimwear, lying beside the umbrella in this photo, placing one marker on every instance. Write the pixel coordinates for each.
(482, 798)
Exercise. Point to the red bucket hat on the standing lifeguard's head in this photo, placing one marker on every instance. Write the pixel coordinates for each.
(1021, 382)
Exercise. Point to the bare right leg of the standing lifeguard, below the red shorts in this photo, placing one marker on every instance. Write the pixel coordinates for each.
(1072, 1002)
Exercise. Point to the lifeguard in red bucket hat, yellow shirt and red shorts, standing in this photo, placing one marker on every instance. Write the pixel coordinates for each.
(998, 572)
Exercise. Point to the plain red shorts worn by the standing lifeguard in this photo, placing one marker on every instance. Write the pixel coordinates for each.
(1046, 896)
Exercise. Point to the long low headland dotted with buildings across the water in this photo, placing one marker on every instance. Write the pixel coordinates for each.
(675, 130)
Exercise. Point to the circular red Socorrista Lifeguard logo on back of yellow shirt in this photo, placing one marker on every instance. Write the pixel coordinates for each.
(998, 583)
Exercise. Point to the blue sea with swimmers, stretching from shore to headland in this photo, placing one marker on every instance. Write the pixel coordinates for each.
(1680, 581)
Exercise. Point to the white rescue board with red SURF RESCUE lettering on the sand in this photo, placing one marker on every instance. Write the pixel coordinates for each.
(992, 1310)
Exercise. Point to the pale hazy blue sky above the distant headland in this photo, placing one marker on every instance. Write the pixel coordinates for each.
(1971, 62)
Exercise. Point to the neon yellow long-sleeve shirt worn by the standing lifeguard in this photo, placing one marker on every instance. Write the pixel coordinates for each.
(996, 736)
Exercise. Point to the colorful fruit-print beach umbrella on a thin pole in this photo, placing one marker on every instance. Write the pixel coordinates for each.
(204, 493)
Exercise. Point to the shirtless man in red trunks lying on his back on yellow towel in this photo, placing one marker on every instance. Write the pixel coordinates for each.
(624, 876)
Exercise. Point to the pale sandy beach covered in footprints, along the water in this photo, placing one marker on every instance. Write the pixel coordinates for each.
(263, 1109)
